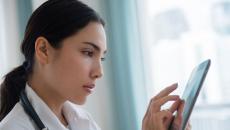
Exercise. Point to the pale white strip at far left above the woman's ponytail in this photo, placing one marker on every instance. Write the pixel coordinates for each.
(9, 43)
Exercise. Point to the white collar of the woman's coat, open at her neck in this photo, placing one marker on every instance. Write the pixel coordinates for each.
(77, 118)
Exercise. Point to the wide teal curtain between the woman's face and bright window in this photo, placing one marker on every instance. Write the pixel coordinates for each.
(127, 67)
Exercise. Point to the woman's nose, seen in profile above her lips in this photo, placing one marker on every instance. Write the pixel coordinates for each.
(97, 71)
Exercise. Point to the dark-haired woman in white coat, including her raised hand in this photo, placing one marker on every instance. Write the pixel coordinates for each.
(64, 45)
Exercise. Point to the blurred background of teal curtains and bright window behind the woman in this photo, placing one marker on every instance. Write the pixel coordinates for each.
(151, 44)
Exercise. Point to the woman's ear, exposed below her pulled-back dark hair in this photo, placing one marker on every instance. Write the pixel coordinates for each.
(42, 48)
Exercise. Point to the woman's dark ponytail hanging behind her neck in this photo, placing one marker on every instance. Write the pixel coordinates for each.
(11, 87)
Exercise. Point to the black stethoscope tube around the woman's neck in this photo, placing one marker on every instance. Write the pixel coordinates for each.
(28, 108)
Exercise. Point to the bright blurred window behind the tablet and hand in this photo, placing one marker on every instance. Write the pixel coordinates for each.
(177, 35)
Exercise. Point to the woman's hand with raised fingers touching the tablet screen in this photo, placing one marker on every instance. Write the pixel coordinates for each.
(157, 119)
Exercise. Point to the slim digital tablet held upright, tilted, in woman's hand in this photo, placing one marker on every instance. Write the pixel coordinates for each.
(192, 90)
